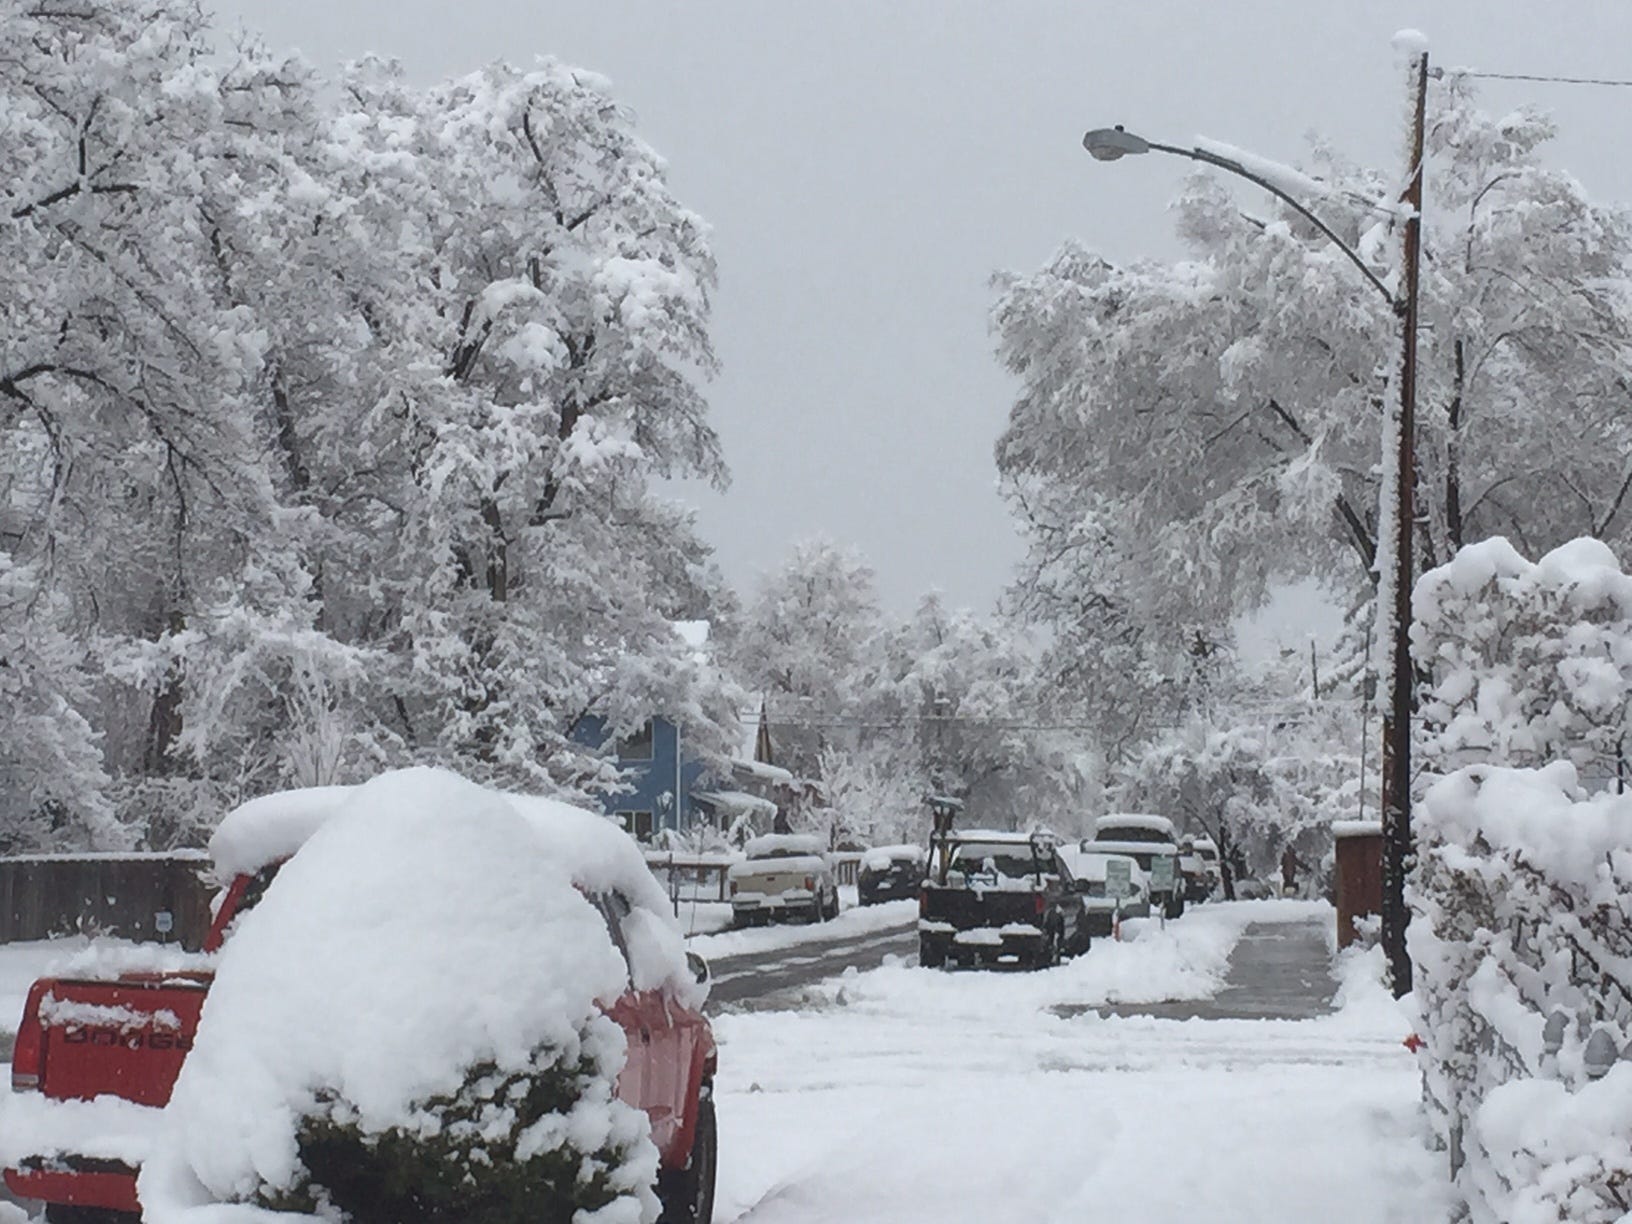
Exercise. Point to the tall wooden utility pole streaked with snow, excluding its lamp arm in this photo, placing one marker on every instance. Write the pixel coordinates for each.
(1396, 517)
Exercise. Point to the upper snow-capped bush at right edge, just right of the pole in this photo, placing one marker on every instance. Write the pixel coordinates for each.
(1530, 662)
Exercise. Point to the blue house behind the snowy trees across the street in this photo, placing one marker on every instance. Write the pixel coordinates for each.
(663, 784)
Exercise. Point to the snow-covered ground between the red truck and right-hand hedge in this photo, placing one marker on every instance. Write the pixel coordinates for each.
(923, 1096)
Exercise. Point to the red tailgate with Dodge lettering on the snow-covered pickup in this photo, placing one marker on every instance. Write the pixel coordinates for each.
(120, 1037)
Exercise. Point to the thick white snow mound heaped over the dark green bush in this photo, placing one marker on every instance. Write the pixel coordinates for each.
(425, 925)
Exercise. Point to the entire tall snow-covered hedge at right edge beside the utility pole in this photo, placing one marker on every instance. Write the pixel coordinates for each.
(1525, 859)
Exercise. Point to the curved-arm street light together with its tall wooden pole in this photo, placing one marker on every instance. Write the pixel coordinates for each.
(1395, 590)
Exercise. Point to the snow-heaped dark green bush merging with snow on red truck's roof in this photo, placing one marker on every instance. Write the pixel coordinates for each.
(409, 1026)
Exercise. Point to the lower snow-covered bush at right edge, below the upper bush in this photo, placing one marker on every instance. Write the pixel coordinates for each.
(1520, 897)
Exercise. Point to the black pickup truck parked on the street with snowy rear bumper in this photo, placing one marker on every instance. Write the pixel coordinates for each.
(1000, 898)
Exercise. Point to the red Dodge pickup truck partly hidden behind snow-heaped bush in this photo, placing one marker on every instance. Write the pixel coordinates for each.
(126, 1037)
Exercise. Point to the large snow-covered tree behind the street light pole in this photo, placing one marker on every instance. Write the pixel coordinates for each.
(1191, 433)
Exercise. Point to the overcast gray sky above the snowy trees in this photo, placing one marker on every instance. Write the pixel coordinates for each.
(867, 167)
